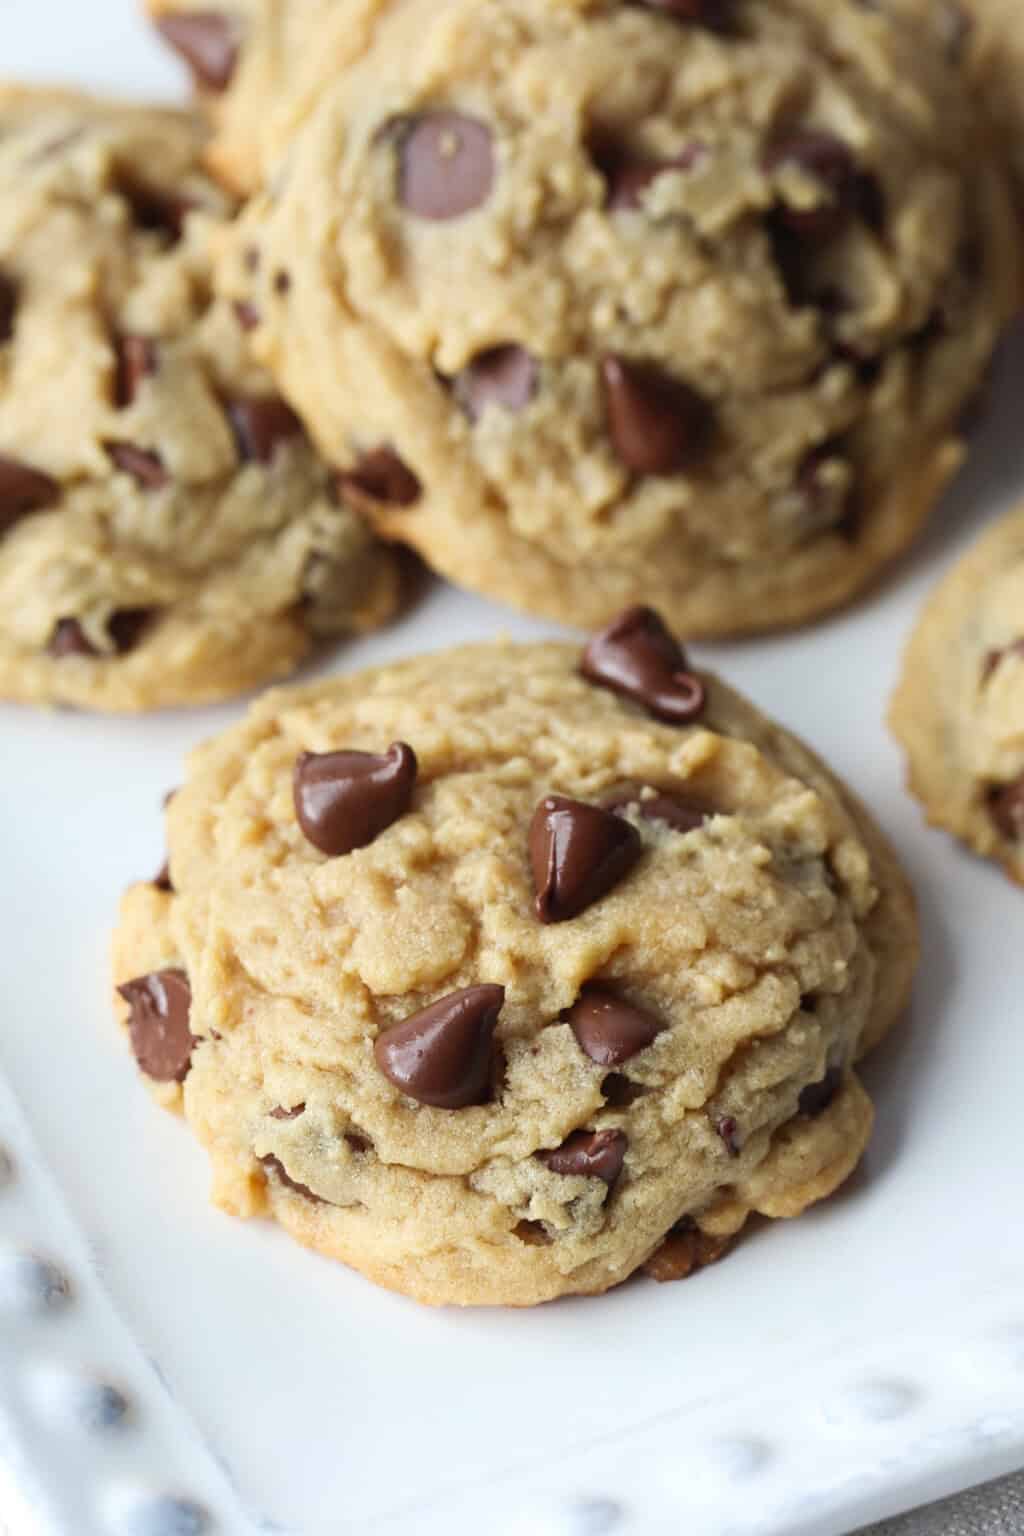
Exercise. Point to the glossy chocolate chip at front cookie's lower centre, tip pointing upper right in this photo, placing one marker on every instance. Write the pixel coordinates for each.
(443, 1054)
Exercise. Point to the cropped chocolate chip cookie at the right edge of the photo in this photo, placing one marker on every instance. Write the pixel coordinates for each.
(959, 710)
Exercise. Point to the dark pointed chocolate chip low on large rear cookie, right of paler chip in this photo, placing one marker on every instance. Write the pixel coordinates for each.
(658, 425)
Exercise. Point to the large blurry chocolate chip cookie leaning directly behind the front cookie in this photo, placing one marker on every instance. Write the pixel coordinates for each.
(601, 305)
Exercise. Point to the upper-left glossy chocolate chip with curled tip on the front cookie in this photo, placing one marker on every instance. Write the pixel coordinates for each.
(343, 801)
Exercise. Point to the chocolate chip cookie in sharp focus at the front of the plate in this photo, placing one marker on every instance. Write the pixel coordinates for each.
(507, 972)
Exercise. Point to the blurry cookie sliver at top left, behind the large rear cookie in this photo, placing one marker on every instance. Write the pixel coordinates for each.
(259, 67)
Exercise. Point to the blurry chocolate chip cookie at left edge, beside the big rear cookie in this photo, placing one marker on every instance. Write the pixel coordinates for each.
(168, 534)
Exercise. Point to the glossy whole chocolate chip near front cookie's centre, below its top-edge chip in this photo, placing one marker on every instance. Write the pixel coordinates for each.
(578, 853)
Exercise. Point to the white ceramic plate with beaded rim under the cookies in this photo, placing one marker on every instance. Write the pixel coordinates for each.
(167, 1371)
